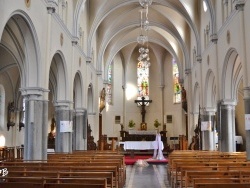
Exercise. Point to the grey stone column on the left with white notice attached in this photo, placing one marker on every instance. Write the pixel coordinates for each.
(63, 142)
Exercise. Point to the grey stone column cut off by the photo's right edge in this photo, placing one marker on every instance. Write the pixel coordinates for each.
(247, 112)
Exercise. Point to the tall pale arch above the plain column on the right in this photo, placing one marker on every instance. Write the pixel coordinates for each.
(231, 75)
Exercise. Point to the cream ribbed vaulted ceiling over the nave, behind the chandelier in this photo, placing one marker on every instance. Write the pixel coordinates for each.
(173, 26)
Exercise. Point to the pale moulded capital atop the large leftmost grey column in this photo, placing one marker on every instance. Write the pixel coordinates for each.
(34, 93)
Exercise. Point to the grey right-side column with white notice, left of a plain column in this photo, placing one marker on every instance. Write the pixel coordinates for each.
(208, 142)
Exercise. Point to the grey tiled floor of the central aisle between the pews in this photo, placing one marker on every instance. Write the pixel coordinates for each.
(152, 176)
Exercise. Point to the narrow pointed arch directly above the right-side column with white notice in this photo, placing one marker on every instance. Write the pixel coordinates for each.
(210, 88)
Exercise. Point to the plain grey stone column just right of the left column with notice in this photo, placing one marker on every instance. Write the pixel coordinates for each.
(80, 130)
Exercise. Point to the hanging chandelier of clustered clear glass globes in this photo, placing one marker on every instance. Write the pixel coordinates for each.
(142, 39)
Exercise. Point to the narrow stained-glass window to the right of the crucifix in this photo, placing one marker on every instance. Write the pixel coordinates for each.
(176, 84)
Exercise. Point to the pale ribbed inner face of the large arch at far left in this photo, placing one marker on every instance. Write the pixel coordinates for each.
(24, 36)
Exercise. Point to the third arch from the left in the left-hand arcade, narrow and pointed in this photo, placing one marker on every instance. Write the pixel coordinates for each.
(78, 91)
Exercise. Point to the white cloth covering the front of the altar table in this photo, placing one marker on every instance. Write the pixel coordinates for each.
(141, 145)
